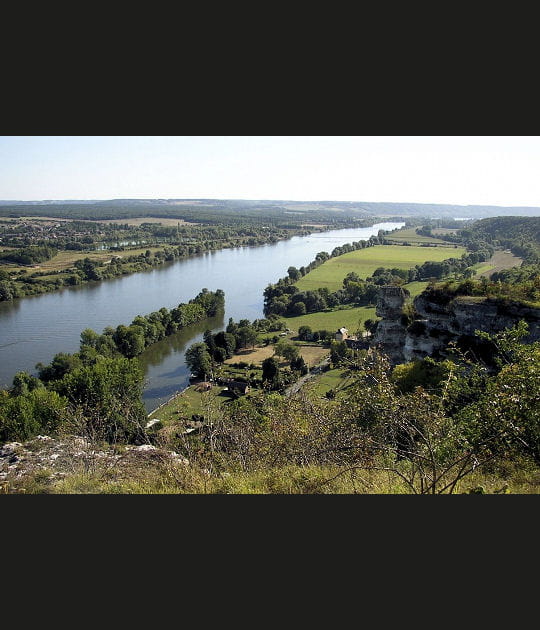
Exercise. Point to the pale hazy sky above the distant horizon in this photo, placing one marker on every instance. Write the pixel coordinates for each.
(485, 170)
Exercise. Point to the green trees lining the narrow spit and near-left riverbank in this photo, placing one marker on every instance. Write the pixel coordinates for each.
(97, 391)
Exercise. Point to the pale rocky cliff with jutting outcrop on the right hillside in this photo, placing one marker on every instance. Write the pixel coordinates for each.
(444, 318)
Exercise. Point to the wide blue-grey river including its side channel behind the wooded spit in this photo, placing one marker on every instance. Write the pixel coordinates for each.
(34, 329)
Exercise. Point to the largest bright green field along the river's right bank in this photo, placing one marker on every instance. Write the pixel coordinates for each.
(364, 262)
